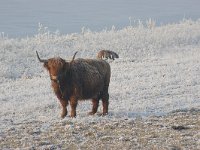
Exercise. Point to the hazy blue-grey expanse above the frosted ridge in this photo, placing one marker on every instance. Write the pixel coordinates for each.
(20, 18)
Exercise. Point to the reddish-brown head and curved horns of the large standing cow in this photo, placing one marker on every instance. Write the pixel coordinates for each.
(56, 67)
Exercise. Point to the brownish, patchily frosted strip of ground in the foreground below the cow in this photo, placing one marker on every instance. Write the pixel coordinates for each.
(174, 131)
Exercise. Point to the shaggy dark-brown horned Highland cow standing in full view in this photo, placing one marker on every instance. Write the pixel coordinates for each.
(79, 79)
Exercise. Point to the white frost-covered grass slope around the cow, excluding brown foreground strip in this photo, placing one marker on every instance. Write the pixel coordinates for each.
(158, 71)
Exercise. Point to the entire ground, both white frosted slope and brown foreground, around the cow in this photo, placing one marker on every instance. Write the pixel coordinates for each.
(157, 74)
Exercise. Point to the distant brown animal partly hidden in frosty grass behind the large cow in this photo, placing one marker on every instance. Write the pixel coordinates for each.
(105, 54)
